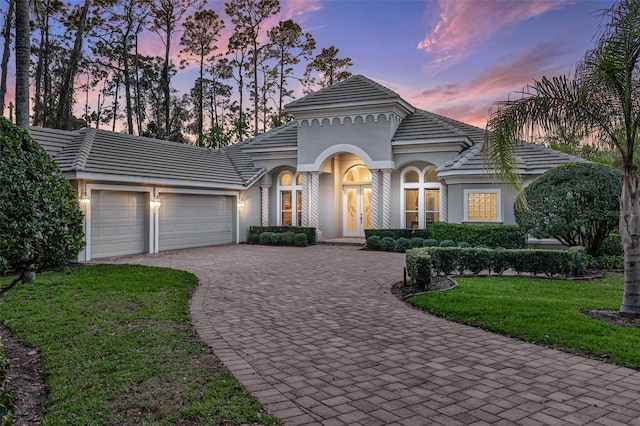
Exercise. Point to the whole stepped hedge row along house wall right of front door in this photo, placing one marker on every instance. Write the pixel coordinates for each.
(492, 236)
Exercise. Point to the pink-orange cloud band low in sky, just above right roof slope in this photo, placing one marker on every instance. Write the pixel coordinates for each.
(471, 101)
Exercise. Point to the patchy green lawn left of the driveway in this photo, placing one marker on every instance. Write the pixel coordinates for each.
(118, 348)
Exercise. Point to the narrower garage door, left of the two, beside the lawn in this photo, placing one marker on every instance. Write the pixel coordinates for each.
(117, 223)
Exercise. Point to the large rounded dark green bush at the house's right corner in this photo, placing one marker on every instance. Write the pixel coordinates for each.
(575, 203)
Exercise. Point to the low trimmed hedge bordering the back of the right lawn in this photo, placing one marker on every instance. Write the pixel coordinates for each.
(446, 260)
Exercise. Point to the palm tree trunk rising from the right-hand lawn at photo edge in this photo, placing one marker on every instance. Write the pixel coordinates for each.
(629, 232)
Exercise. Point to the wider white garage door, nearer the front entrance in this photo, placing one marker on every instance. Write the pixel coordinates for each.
(195, 220)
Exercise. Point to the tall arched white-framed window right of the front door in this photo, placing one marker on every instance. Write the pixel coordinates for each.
(420, 197)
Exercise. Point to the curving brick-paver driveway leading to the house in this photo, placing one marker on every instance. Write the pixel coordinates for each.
(317, 337)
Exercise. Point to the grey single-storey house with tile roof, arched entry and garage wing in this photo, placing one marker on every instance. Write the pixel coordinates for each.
(356, 156)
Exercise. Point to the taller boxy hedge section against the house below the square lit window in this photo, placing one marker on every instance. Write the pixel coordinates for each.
(507, 236)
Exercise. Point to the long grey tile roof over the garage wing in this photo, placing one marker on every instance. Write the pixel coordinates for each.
(140, 158)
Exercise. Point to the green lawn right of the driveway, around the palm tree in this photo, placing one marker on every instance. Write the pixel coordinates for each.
(543, 311)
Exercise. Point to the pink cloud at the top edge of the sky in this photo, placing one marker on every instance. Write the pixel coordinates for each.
(464, 24)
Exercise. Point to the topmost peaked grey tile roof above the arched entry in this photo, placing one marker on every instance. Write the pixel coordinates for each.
(352, 90)
